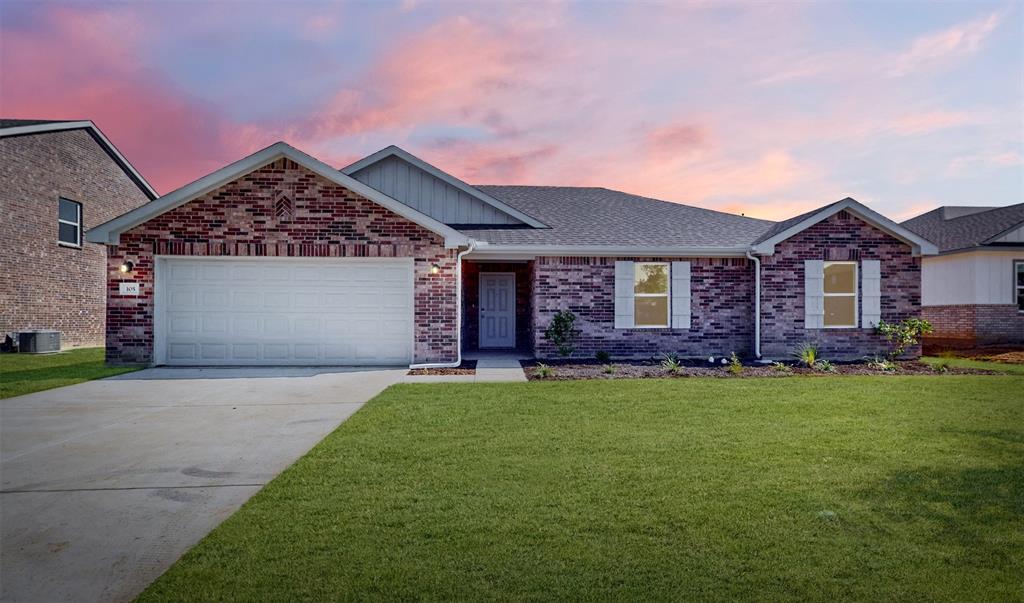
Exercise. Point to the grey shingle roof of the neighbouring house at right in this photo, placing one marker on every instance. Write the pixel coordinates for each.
(958, 229)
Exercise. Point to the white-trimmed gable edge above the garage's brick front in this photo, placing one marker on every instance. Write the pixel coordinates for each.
(109, 233)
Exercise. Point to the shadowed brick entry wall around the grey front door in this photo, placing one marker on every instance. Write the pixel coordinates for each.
(472, 295)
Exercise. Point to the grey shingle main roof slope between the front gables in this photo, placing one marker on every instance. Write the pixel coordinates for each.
(591, 217)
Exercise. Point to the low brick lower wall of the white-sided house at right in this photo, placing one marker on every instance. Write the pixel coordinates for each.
(974, 324)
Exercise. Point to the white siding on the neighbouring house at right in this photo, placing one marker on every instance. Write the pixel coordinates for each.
(973, 278)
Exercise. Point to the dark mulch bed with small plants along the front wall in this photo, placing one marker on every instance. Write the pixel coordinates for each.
(569, 371)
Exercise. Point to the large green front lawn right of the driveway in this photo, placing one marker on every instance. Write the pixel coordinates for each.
(870, 489)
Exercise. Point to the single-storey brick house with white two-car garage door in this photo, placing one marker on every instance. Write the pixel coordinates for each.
(282, 260)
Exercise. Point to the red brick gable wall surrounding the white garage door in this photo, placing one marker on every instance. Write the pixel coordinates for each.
(242, 220)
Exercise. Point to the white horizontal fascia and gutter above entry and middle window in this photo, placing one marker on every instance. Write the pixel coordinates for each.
(485, 250)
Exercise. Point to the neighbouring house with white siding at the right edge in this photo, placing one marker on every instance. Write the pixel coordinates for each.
(973, 291)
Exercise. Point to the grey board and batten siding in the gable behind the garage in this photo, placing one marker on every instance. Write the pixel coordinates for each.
(429, 194)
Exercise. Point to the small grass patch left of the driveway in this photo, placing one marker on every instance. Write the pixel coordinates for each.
(22, 374)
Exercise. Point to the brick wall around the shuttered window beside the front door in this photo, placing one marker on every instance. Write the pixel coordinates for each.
(722, 309)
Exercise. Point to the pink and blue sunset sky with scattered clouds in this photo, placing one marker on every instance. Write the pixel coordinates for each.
(763, 109)
